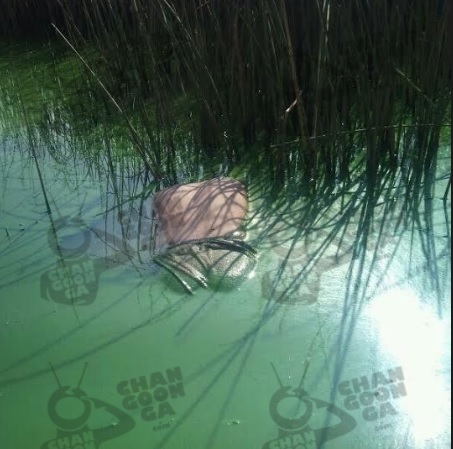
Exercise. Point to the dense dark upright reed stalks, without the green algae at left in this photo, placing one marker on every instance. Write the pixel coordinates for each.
(321, 88)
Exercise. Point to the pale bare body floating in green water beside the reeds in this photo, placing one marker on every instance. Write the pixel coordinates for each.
(195, 227)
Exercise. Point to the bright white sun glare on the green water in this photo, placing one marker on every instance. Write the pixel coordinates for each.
(424, 336)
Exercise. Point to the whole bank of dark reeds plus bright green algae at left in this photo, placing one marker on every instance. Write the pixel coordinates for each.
(328, 97)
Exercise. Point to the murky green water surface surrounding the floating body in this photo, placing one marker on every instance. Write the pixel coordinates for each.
(328, 343)
